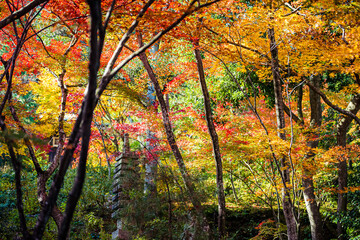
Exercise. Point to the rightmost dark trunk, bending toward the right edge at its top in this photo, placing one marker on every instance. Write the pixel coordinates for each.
(342, 129)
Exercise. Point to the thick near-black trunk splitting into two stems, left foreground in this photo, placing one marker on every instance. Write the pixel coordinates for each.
(82, 128)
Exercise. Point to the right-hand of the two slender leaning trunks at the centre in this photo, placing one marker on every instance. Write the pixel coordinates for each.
(215, 144)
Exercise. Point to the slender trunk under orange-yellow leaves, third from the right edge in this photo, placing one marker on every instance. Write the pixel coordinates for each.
(288, 208)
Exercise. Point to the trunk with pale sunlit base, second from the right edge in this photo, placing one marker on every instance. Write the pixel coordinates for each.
(307, 178)
